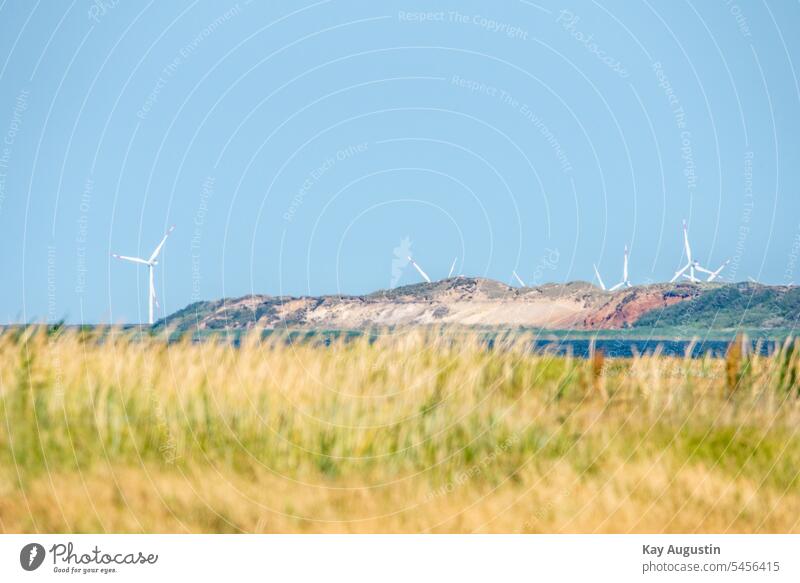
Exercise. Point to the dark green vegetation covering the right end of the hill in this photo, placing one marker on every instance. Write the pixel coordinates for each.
(732, 306)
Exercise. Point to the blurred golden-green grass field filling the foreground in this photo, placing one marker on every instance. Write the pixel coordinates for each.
(418, 431)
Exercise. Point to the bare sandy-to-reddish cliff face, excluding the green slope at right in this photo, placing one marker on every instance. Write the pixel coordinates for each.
(455, 301)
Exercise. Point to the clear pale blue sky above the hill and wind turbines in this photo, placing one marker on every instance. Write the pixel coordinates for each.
(300, 147)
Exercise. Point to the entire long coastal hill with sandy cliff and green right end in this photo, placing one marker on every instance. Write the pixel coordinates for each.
(475, 301)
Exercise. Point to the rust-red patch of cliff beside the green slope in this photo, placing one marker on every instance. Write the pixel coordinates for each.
(625, 308)
